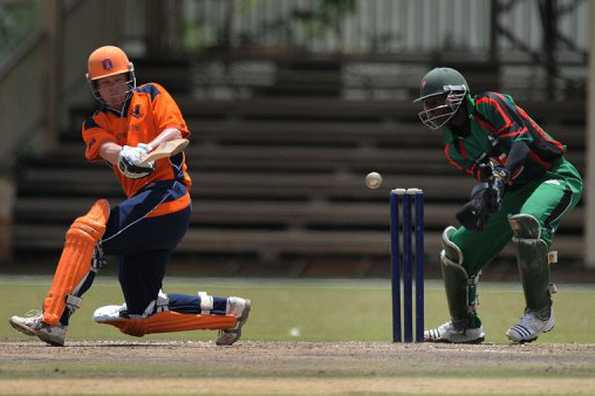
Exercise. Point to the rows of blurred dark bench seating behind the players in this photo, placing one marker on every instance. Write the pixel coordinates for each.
(279, 181)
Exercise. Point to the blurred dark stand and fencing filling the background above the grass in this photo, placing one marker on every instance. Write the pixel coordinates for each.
(291, 103)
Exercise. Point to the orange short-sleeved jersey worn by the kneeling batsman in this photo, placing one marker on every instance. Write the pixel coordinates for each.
(149, 111)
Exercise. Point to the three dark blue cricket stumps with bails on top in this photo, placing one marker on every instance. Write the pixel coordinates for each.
(402, 262)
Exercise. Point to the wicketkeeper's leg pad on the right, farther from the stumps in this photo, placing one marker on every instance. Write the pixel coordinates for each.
(532, 260)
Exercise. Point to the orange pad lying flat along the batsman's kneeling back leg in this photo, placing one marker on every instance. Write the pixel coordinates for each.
(162, 322)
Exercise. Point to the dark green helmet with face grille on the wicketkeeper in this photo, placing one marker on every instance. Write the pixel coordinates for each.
(442, 91)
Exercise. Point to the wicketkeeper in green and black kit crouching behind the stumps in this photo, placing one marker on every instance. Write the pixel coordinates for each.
(524, 187)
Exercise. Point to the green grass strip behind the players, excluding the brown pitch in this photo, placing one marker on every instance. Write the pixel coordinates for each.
(316, 310)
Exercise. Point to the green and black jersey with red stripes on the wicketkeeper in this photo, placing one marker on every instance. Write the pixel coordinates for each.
(495, 123)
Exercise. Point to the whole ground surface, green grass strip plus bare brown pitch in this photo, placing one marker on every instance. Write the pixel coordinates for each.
(317, 311)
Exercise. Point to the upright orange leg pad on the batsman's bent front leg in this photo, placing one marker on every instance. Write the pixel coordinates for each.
(75, 262)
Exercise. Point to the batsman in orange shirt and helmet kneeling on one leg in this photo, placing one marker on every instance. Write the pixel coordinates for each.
(143, 230)
